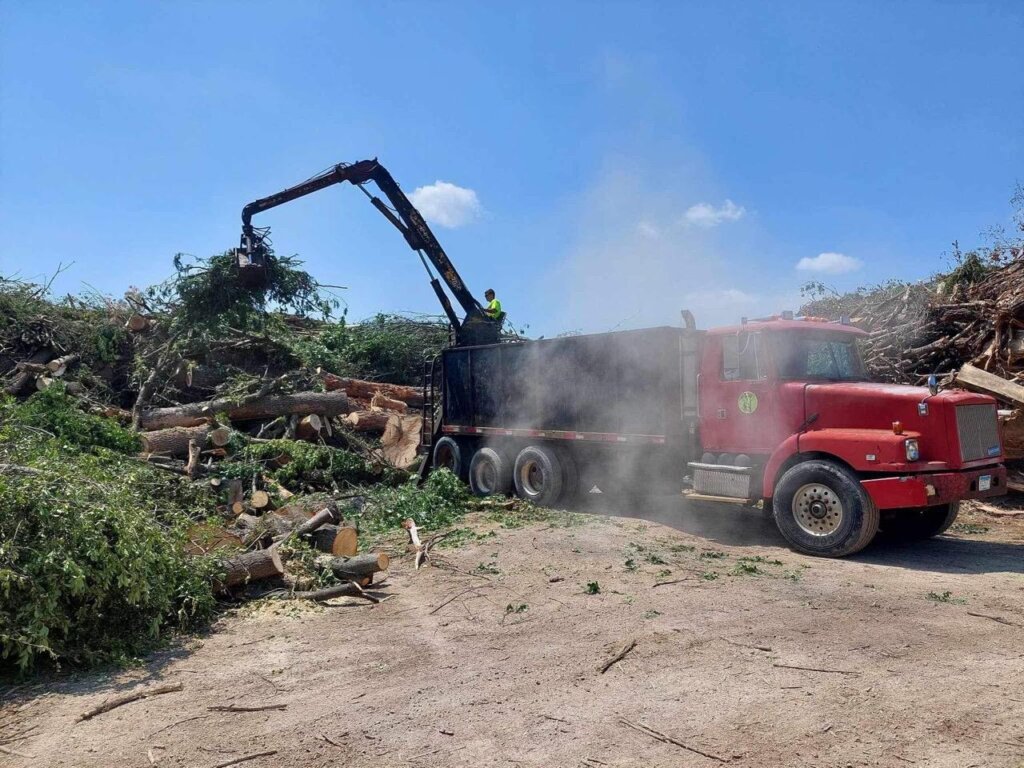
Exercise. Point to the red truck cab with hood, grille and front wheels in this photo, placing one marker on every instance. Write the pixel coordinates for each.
(788, 415)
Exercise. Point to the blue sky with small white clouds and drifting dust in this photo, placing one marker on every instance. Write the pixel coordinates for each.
(606, 164)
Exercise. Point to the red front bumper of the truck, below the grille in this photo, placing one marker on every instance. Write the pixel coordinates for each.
(929, 490)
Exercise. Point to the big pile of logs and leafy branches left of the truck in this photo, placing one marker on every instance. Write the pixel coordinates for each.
(188, 420)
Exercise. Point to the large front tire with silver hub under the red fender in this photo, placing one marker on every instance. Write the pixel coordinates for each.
(823, 509)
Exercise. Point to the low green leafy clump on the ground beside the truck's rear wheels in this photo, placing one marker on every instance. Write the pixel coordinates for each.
(441, 503)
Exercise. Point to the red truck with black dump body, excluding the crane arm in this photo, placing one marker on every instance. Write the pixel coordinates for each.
(779, 411)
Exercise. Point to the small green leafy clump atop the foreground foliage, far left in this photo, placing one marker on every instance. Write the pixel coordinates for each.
(58, 414)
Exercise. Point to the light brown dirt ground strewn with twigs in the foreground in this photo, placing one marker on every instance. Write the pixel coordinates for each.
(752, 655)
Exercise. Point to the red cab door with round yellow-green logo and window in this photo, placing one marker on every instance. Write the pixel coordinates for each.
(738, 398)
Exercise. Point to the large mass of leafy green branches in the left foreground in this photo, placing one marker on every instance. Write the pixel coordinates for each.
(93, 565)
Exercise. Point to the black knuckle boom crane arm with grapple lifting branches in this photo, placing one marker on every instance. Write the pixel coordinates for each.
(253, 254)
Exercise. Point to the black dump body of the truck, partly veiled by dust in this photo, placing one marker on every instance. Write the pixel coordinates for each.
(631, 383)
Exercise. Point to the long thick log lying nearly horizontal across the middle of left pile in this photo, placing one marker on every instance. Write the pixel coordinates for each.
(321, 404)
